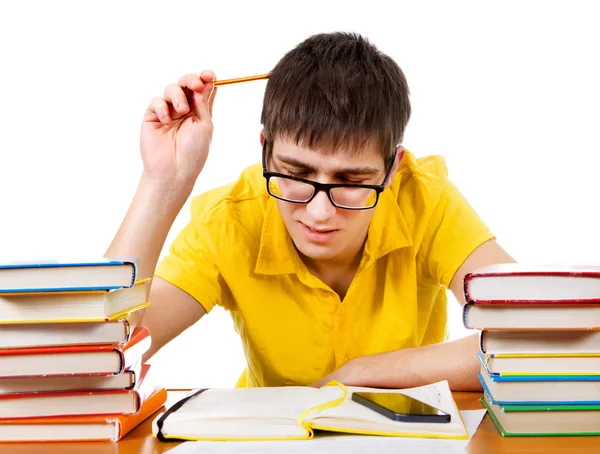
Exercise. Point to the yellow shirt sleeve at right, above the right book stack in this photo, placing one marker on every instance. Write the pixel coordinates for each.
(453, 233)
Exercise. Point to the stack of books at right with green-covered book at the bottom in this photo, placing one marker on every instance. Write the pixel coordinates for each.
(540, 347)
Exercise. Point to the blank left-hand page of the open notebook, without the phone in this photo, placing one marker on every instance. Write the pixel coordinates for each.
(246, 413)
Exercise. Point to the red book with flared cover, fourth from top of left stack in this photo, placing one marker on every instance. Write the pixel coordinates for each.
(75, 360)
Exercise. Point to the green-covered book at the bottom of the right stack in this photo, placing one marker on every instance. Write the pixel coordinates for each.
(544, 420)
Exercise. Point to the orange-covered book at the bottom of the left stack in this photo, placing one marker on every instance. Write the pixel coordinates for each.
(81, 428)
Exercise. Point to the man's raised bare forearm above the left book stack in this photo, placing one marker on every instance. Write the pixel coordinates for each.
(144, 230)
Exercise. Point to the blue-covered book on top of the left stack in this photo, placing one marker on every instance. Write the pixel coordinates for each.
(58, 276)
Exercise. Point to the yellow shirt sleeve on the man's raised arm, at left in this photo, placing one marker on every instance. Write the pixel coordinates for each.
(192, 261)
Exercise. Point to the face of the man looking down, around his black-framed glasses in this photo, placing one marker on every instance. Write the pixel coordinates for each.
(319, 230)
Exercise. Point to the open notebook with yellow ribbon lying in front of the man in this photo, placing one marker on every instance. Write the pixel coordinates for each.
(294, 412)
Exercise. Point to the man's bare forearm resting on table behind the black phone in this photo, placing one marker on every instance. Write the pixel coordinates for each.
(454, 361)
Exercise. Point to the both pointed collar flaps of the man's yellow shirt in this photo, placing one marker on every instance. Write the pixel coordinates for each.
(387, 232)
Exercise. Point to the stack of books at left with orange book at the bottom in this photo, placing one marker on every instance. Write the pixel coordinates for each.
(70, 358)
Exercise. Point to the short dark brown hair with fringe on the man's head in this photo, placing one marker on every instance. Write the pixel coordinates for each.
(334, 91)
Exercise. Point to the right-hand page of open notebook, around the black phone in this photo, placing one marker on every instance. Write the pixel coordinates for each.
(353, 417)
